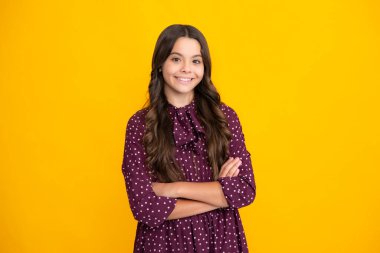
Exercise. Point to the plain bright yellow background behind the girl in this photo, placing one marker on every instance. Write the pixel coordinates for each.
(303, 76)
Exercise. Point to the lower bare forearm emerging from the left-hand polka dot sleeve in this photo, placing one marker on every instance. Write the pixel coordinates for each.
(186, 208)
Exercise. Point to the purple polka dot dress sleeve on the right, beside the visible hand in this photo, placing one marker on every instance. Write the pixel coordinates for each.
(239, 191)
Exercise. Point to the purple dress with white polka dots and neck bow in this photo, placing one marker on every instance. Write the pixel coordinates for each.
(216, 231)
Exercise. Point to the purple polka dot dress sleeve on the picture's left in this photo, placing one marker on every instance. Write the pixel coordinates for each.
(145, 205)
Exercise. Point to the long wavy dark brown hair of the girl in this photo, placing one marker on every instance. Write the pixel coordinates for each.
(158, 138)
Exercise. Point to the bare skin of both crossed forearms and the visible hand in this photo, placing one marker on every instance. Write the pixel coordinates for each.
(197, 197)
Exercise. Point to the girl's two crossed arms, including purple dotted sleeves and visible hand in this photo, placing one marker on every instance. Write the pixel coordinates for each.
(153, 203)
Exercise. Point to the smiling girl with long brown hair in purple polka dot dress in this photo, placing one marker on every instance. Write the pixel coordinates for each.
(186, 166)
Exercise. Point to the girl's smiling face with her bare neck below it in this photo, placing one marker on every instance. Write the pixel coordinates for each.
(183, 69)
